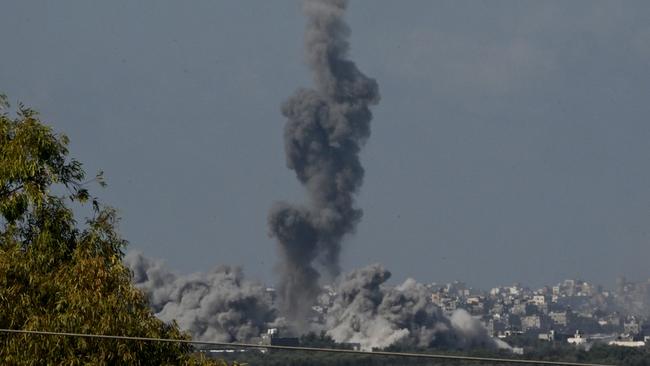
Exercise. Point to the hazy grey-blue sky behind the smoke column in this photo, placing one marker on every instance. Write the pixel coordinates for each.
(511, 142)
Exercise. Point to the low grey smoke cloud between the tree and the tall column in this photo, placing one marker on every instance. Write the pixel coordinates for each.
(219, 305)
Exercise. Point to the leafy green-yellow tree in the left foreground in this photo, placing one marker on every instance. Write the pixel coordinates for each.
(57, 275)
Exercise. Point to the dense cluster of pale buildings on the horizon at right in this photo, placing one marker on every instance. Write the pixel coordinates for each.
(574, 311)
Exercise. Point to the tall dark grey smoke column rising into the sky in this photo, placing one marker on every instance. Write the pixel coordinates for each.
(325, 129)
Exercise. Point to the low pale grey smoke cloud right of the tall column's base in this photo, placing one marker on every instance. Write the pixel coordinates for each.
(369, 312)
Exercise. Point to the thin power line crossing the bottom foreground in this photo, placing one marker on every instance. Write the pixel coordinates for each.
(308, 349)
